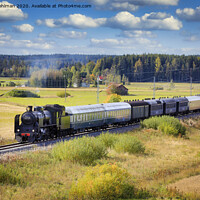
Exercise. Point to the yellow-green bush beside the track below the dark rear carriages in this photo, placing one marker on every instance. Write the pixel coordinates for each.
(166, 124)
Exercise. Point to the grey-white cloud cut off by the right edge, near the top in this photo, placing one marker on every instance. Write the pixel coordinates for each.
(189, 14)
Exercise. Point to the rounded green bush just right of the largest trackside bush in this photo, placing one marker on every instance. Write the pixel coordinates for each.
(129, 144)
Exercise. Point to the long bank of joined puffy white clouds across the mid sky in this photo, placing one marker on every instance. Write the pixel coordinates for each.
(123, 20)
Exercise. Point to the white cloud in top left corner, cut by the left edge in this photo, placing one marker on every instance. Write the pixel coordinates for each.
(9, 12)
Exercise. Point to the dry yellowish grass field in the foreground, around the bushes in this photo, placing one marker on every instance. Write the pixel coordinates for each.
(166, 160)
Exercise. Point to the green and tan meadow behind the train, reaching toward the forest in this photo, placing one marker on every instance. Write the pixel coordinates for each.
(10, 106)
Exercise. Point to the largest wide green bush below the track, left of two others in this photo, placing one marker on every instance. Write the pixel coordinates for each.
(85, 150)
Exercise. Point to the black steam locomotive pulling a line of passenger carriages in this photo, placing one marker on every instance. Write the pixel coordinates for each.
(53, 121)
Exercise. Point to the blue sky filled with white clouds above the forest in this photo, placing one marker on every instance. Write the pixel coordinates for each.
(111, 27)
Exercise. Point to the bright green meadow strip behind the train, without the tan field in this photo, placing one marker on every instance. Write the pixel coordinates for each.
(84, 96)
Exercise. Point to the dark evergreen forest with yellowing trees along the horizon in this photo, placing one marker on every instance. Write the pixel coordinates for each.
(59, 69)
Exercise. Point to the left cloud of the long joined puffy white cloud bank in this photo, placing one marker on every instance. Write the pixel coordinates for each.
(75, 20)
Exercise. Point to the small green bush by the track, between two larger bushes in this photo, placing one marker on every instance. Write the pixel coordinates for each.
(107, 139)
